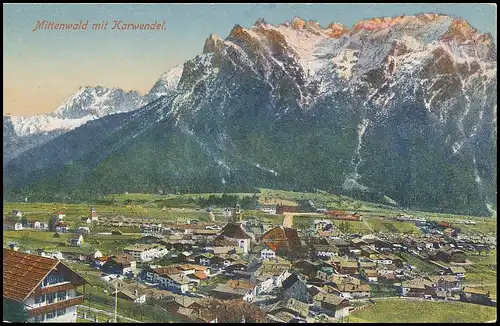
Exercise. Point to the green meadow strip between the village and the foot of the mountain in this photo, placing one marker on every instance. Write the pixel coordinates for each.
(182, 207)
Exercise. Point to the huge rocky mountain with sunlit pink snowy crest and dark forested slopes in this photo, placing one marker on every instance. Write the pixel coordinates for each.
(399, 108)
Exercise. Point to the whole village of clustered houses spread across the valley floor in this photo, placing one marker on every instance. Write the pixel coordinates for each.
(319, 273)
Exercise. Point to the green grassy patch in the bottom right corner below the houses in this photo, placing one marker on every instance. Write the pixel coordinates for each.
(400, 311)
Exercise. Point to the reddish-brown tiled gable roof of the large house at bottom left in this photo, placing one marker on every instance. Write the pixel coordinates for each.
(23, 273)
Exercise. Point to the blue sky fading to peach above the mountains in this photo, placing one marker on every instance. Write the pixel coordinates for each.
(43, 67)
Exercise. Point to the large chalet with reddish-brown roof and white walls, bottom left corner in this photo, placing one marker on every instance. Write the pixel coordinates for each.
(45, 286)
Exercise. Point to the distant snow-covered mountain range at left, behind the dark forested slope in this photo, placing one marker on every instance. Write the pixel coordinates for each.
(88, 103)
